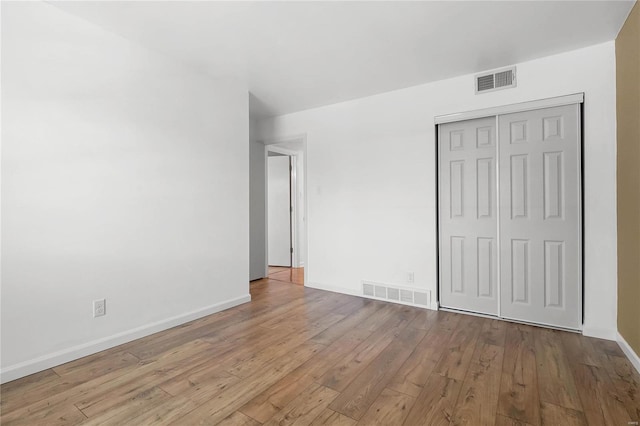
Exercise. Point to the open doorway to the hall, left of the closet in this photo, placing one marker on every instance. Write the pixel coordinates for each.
(285, 207)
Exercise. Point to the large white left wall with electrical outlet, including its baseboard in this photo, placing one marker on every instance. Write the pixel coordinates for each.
(124, 176)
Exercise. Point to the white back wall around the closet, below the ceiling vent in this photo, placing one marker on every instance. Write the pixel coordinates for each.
(371, 176)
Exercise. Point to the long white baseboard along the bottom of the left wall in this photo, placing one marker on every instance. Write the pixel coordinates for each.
(35, 365)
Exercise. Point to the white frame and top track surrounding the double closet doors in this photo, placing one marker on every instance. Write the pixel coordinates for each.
(572, 99)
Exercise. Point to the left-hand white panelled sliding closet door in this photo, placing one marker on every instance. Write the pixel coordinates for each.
(467, 191)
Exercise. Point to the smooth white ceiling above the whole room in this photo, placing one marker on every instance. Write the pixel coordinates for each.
(299, 55)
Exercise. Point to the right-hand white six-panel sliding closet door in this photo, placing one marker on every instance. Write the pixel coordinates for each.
(540, 228)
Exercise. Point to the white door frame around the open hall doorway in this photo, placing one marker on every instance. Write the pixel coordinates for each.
(296, 148)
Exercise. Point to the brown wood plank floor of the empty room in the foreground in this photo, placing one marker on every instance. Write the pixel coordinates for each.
(296, 355)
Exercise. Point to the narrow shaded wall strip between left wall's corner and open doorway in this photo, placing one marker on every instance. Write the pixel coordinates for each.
(257, 203)
